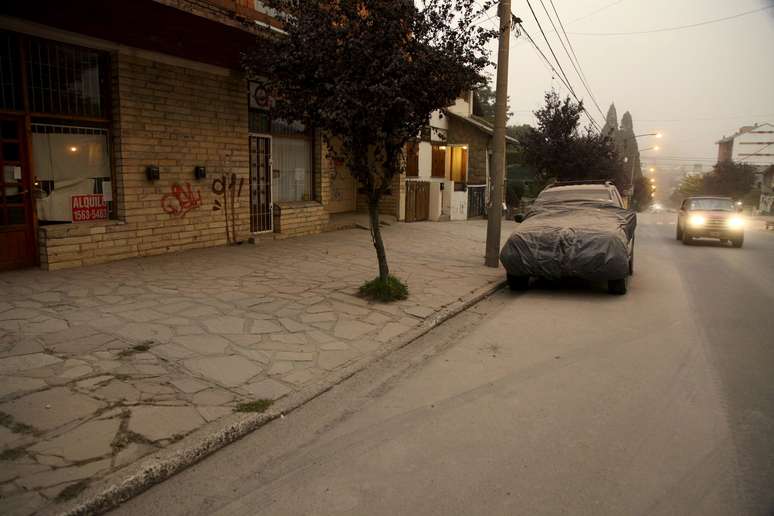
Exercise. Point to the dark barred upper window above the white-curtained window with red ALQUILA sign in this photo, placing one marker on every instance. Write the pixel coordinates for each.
(65, 80)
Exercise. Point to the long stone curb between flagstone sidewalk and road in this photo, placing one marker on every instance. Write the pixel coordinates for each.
(136, 478)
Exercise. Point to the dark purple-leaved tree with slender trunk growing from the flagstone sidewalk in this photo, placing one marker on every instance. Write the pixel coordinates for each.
(368, 74)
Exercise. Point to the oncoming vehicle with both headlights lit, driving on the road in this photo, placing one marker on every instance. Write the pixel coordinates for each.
(710, 217)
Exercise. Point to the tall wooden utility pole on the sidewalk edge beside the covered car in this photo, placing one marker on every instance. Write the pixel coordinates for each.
(495, 214)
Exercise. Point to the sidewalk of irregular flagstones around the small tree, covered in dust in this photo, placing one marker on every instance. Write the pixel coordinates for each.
(103, 365)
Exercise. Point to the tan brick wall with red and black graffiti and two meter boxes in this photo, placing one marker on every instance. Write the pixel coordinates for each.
(175, 118)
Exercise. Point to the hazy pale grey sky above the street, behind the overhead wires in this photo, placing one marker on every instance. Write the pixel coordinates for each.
(694, 85)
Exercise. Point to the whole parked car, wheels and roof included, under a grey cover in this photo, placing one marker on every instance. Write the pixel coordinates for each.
(573, 231)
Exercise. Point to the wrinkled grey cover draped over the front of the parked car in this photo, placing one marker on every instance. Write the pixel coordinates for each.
(581, 239)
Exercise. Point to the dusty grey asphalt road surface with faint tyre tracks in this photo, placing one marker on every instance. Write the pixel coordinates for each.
(560, 400)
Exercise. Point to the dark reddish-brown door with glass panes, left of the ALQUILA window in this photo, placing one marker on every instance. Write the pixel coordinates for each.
(17, 233)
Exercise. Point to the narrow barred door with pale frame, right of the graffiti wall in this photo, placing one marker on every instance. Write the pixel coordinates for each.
(261, 207)
